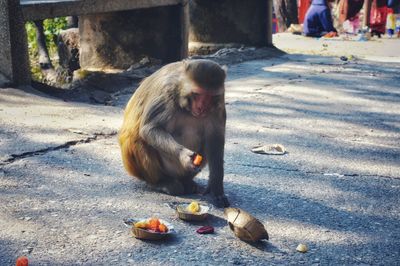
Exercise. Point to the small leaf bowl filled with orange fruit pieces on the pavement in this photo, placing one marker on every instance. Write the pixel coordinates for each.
(150, 229)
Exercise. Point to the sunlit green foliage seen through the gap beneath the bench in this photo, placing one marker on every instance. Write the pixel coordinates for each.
(52, 28)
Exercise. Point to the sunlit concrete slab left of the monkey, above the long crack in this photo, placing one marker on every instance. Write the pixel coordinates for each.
(40, 122)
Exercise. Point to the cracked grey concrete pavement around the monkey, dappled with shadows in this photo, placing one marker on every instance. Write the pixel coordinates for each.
(336, 190)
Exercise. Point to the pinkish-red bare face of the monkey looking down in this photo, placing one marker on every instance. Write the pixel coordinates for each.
(202, 101)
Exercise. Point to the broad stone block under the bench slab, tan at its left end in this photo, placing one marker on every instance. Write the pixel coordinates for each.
(116, 40)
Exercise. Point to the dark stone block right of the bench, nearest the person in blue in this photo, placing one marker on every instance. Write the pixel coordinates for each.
(231, 21)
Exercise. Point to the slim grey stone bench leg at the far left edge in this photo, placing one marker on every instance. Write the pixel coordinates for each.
(14, 59)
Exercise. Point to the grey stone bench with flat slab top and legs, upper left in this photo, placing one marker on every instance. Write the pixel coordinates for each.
(14, 61)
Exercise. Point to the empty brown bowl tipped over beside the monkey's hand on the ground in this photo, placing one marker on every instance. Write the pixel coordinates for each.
(245, 226)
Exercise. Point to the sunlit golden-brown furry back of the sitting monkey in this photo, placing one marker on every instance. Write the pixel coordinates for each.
(137, 156)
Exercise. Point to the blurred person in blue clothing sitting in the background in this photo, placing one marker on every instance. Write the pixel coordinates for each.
(318, 21)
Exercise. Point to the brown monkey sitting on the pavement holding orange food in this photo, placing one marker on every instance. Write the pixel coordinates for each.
(176, 113)
